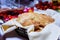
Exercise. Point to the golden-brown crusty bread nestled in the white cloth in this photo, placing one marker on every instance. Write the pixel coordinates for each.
(39, 20)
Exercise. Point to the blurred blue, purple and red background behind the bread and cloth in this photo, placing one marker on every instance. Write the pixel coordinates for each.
(26, 5)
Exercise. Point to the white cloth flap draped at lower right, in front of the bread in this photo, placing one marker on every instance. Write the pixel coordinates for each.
(51, 32)
